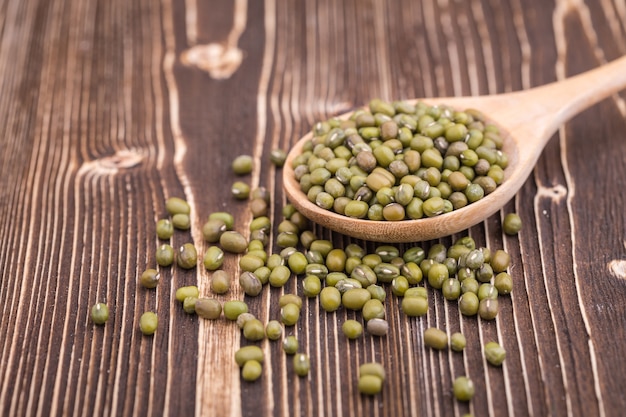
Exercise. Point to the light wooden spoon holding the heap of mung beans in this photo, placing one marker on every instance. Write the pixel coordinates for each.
(528, 119)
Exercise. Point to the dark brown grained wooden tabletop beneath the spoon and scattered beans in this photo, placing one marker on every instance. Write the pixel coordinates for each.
(107, 108)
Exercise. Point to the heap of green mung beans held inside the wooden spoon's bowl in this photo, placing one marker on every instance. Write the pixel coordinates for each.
(396, 161)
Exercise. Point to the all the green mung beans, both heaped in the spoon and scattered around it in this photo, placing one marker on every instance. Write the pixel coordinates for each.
(408, 141)
